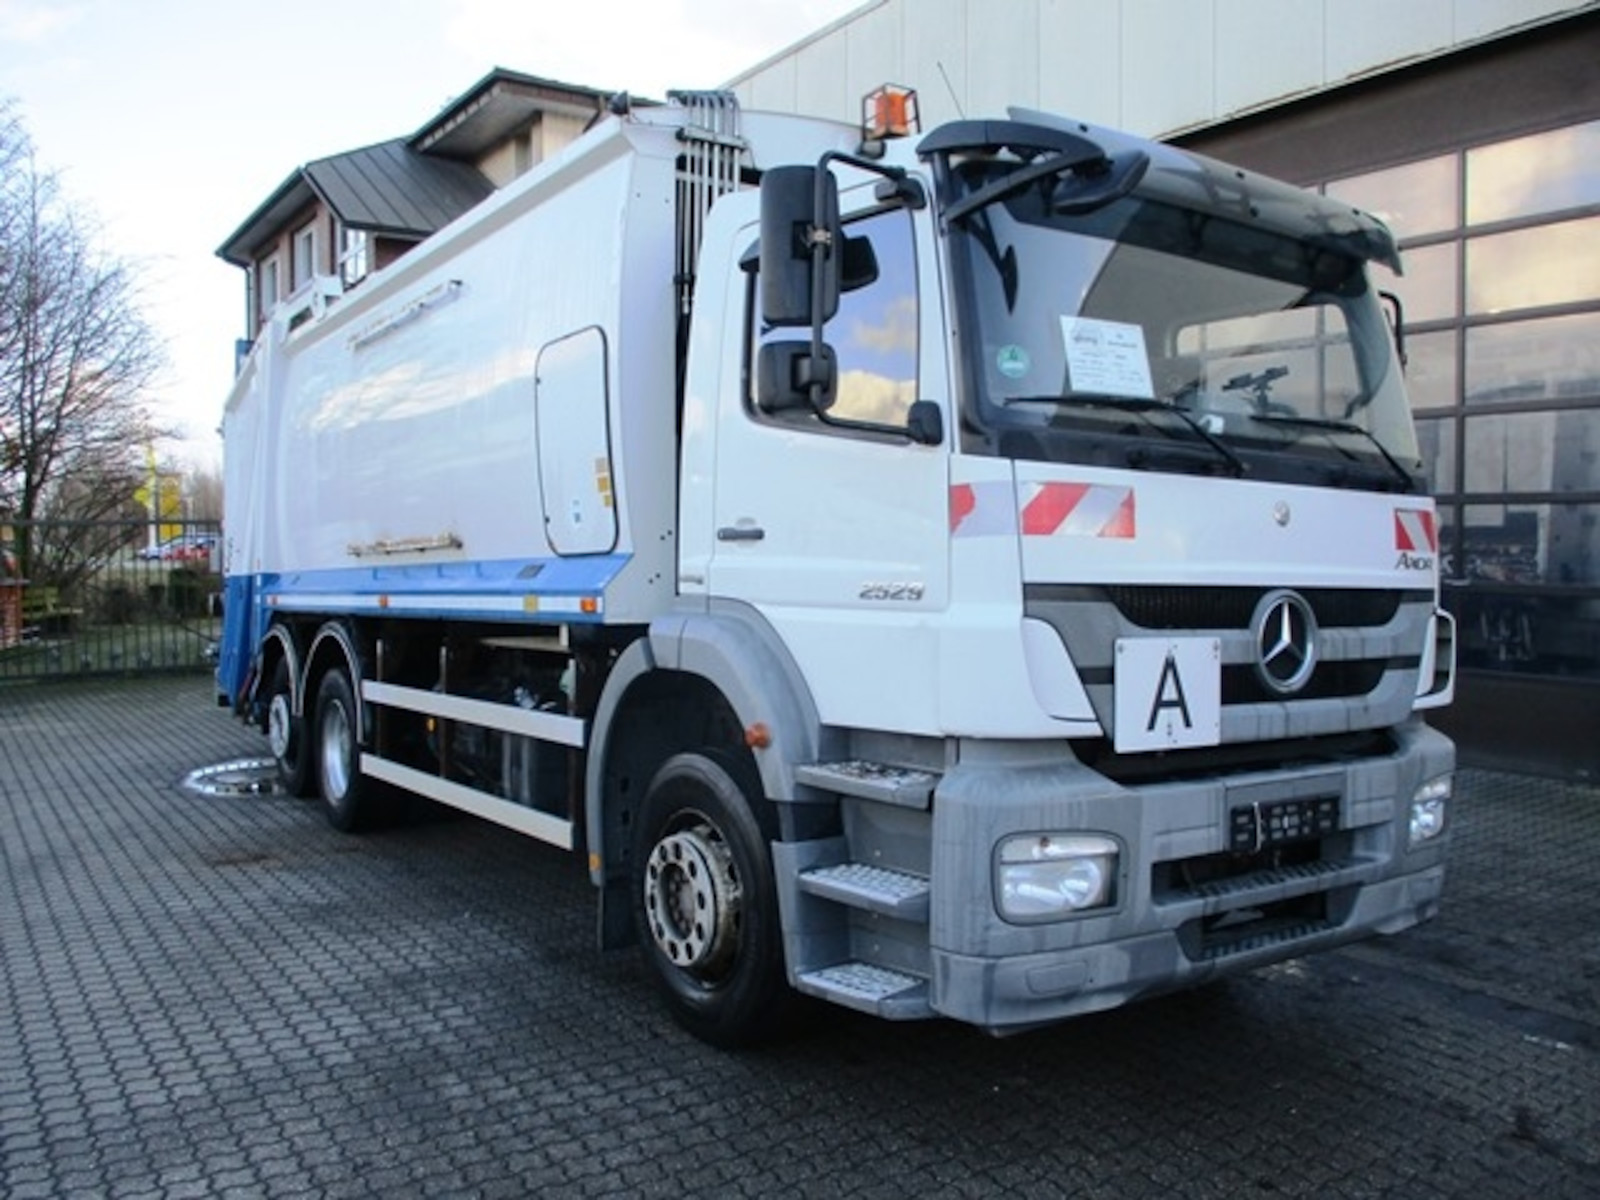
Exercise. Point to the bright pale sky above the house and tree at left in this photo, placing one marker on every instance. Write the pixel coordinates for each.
(170, 121)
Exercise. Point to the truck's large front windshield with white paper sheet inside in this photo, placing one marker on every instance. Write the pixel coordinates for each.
(1156, 337)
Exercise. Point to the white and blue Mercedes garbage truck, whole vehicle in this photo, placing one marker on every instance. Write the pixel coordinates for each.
(977, 574)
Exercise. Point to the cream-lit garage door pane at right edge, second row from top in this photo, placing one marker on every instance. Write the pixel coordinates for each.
(1550, 265)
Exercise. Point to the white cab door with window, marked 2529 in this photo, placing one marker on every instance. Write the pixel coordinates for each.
(839, 537)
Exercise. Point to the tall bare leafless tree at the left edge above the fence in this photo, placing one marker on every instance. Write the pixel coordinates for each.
(76, 356)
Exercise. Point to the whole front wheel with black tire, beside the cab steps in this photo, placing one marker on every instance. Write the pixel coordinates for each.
(706, 906)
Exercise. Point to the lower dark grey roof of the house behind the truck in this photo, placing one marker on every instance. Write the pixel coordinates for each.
(388, 190)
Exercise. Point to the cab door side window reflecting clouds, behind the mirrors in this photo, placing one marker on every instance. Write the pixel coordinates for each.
(873, 335)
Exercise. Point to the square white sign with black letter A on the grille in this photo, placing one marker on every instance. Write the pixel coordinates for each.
(1169, 694)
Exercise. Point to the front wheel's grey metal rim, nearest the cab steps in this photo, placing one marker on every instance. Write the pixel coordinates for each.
(694, 902)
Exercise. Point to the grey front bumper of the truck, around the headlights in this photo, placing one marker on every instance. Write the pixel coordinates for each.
(1169, 932)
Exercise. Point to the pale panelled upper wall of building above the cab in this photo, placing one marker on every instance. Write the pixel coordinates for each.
(1148, 66)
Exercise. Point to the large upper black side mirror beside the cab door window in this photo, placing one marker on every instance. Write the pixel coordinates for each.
(799, 228)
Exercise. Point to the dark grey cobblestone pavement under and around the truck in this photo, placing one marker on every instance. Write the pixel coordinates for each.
(225, 998)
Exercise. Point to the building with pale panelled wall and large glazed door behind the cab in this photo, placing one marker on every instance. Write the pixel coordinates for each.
(1474, 129)
